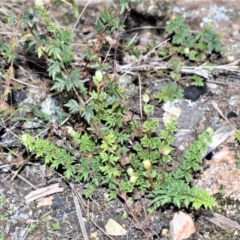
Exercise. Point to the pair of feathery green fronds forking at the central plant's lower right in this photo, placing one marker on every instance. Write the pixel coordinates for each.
(175, 188)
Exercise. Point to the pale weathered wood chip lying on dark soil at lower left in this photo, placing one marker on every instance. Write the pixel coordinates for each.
(42, 192)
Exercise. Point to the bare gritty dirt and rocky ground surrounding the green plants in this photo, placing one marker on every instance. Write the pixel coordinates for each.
(56, 218)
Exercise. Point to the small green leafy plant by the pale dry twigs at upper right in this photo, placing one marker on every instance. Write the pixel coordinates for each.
(186, 47)
